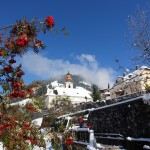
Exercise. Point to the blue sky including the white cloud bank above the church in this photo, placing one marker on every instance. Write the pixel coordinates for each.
(97, 30)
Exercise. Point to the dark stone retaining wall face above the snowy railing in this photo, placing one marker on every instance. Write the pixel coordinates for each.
(130, 119)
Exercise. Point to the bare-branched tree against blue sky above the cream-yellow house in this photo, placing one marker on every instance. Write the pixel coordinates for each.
(139, 31)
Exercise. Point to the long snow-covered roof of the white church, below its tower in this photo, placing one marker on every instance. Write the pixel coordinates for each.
(76, 92)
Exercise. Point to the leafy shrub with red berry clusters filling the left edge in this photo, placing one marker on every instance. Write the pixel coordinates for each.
(20, 37)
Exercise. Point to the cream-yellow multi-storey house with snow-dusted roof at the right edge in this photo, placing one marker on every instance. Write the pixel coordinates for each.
(130, 83)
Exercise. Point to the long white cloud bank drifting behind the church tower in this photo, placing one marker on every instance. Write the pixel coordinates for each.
(87, 67)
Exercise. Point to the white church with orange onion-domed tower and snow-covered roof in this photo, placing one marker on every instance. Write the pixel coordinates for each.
(76, 95)
